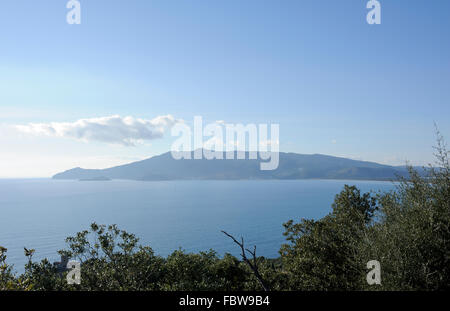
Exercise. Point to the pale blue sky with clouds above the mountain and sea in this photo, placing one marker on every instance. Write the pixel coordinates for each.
(335, 84)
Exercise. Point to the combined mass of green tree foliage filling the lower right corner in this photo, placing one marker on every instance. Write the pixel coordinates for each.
(406, 230)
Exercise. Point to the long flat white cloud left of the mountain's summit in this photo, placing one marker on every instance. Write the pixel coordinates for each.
(126, 131)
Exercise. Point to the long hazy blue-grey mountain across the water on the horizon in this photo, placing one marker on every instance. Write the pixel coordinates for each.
(291, 166)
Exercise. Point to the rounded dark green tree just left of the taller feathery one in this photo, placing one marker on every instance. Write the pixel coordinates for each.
(324, 254)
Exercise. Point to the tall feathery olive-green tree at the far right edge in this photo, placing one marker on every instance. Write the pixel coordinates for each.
(412, 239)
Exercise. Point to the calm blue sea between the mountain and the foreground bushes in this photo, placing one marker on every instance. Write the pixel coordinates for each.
(166, 215)
